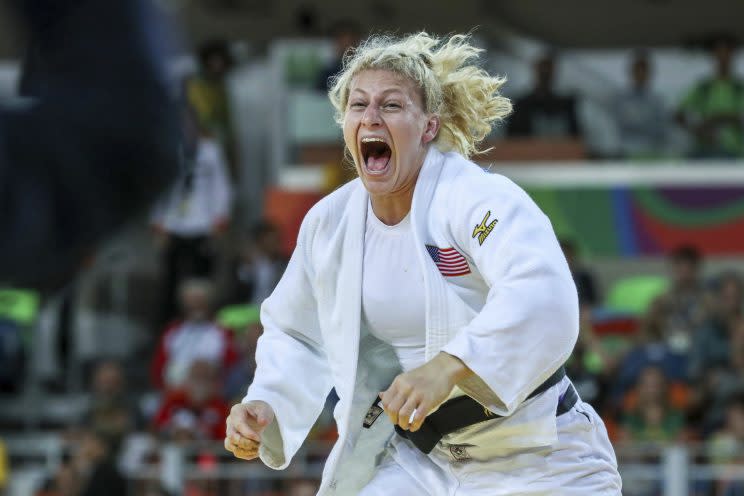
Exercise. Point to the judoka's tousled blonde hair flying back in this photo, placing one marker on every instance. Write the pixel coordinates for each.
(464, 96)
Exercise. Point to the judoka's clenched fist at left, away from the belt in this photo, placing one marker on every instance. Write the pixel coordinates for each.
(244, 427)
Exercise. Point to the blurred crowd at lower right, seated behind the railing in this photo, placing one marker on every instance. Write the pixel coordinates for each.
(671, 373)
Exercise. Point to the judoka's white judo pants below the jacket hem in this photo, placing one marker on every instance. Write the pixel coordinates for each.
(581, 463)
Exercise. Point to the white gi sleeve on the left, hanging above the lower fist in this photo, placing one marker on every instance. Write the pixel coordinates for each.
(292, 374)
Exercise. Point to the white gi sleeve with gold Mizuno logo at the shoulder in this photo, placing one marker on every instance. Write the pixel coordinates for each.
(529, 324)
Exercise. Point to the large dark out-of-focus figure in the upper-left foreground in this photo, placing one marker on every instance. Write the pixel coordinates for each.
(97, 140)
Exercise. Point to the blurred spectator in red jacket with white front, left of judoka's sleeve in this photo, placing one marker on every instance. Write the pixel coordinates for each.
(196, 337)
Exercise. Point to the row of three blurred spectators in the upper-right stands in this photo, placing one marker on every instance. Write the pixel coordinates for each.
(711, 111)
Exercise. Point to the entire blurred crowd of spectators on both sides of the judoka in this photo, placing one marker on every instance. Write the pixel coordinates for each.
(671, 371)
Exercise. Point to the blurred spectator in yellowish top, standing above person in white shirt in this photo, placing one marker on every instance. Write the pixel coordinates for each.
(207, 93)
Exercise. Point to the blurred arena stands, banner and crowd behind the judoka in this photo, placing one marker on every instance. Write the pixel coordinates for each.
(628, 132)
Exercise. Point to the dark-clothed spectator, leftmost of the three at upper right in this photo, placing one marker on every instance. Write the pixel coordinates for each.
(543, 113)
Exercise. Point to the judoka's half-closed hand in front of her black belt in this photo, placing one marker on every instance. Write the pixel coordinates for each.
(422, 389)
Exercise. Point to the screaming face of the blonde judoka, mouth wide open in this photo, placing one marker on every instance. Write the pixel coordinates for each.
(387, 131)
